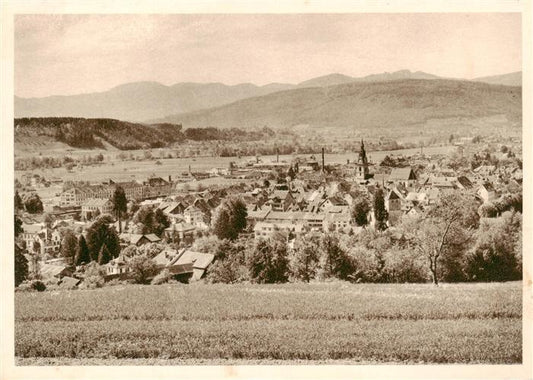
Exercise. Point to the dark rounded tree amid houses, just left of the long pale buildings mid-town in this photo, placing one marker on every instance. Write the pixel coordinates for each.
(230, 219)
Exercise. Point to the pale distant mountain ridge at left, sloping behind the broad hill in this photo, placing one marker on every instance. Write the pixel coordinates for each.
(140, 101)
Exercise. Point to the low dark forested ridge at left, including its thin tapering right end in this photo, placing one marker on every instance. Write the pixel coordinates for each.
(95, 133)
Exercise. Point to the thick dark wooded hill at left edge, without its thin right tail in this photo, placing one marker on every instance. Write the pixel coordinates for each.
(94, 133)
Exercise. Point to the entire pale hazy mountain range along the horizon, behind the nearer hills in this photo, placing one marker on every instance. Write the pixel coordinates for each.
(145, 101)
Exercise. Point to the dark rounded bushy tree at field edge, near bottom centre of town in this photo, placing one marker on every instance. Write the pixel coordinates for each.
(267, 262)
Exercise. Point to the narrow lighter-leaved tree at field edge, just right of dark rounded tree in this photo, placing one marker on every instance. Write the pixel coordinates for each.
(303, 261)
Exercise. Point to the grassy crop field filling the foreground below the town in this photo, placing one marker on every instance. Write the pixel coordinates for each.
(291, 323)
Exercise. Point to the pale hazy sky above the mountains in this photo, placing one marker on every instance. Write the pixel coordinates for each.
(70, 54)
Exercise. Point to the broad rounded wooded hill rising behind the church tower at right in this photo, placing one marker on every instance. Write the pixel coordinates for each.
(363, 105)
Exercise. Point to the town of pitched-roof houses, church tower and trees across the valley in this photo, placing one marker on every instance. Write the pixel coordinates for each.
(167, 229)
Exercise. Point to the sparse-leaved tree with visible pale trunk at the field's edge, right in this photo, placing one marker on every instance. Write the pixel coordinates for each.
(446, 231)
